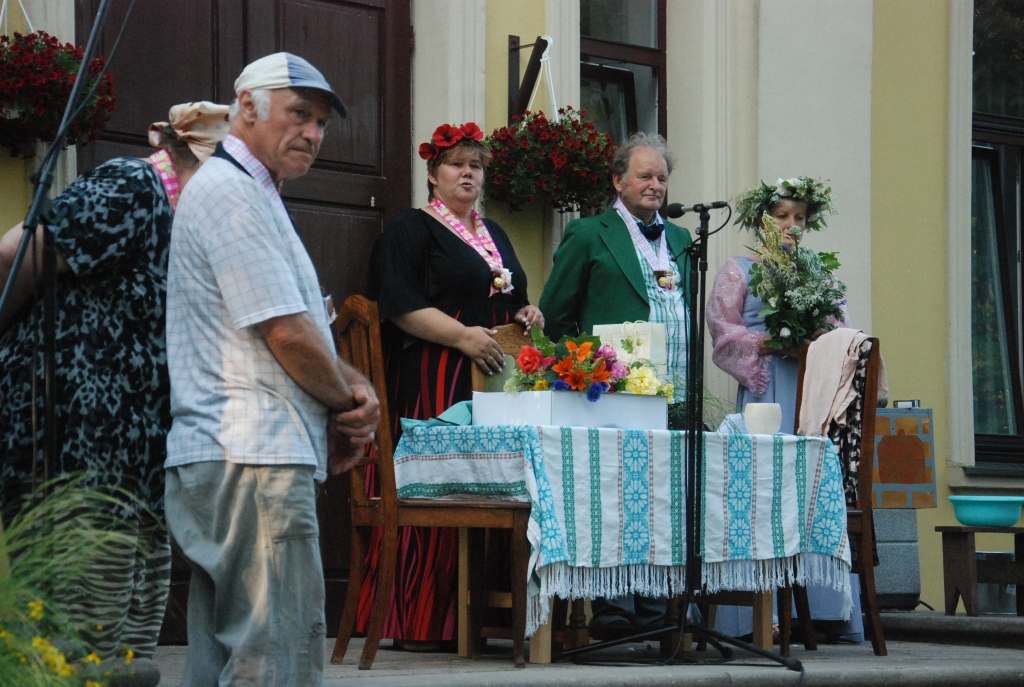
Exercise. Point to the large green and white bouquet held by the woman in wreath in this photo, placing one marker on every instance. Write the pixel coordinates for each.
(800, 291)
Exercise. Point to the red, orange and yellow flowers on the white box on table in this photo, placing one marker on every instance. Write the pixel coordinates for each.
(582, 364)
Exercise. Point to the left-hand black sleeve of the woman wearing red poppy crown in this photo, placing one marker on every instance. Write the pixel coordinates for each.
(398, 277)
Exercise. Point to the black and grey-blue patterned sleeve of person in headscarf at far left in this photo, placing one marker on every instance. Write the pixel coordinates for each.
(104, 220)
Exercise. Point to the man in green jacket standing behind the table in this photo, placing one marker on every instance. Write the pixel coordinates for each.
(623, 267)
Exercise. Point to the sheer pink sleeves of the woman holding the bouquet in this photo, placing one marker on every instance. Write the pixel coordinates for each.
(737, 347)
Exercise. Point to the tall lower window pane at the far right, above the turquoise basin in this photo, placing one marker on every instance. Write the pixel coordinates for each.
(994, 400)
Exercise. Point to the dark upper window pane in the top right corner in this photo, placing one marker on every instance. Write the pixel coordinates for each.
(999, 58)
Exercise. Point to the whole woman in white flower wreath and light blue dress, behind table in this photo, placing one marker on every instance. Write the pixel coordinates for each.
(766, 370)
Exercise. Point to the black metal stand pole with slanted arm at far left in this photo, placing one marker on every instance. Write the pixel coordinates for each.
(40, 209)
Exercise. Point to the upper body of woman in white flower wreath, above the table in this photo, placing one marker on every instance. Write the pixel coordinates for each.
(766, 373)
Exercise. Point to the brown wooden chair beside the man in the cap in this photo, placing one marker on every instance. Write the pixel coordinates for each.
(359, 342)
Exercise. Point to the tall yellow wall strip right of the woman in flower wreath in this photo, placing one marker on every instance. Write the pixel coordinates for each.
(909, 247)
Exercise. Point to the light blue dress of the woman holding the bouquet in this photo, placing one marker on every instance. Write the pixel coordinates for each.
(826, 603)
